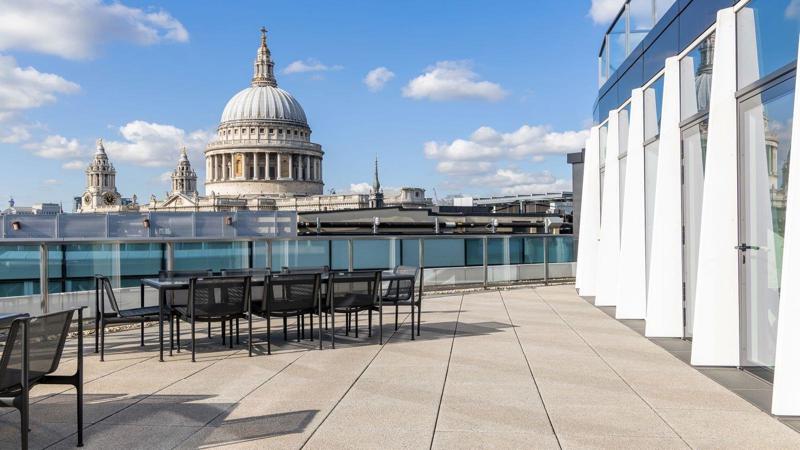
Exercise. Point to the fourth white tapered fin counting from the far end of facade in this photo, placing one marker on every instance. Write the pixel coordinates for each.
(664, 317)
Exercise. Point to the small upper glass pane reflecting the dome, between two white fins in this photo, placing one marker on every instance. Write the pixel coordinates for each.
(696, 70)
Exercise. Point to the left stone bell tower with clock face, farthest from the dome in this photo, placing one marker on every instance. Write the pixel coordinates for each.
(101, 191)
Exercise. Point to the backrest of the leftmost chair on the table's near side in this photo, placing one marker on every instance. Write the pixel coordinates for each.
(208, 294)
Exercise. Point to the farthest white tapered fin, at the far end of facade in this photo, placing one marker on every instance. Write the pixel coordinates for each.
(590, 217)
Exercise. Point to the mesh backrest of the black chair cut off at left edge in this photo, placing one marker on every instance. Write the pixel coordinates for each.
(46, 337)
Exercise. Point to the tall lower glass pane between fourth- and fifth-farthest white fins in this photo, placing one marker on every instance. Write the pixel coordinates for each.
(693, 147)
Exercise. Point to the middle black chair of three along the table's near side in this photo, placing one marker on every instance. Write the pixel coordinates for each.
(289, 295)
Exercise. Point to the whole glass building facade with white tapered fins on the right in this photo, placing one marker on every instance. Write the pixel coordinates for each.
(691, 201)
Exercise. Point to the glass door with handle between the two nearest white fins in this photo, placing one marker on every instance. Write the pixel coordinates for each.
(766, 127)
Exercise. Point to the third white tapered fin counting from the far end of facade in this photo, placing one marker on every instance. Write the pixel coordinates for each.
(632, 287)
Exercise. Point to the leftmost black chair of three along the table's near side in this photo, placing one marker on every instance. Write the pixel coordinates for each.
(217, 299)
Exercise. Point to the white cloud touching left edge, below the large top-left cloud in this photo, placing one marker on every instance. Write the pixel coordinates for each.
(25, 88)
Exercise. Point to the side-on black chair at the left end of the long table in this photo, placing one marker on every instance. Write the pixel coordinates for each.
(103, 291)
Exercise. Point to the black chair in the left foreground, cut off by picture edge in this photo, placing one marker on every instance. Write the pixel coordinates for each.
(32, 352)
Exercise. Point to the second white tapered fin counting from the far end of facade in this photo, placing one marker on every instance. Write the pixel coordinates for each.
(608, 250)
